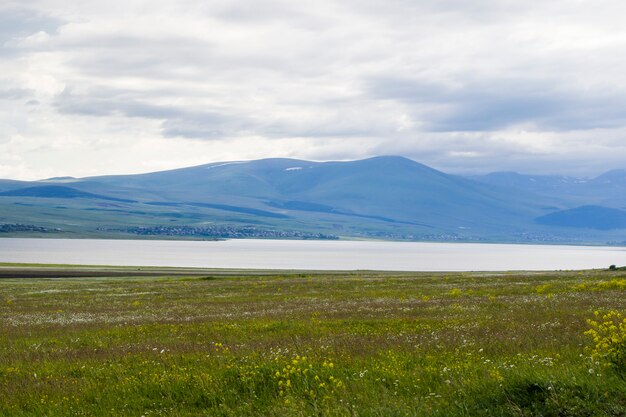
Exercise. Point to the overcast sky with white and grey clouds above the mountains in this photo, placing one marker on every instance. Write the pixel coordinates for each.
(109, 87)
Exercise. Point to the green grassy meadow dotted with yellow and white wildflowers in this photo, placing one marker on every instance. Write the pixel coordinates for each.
(236, 343)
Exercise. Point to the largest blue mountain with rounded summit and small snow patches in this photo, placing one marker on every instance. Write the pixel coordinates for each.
(390, 189)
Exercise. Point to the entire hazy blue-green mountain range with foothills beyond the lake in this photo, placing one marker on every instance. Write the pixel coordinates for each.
(386, 197)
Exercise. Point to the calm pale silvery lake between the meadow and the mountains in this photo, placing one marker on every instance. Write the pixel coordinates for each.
(337, 255)
